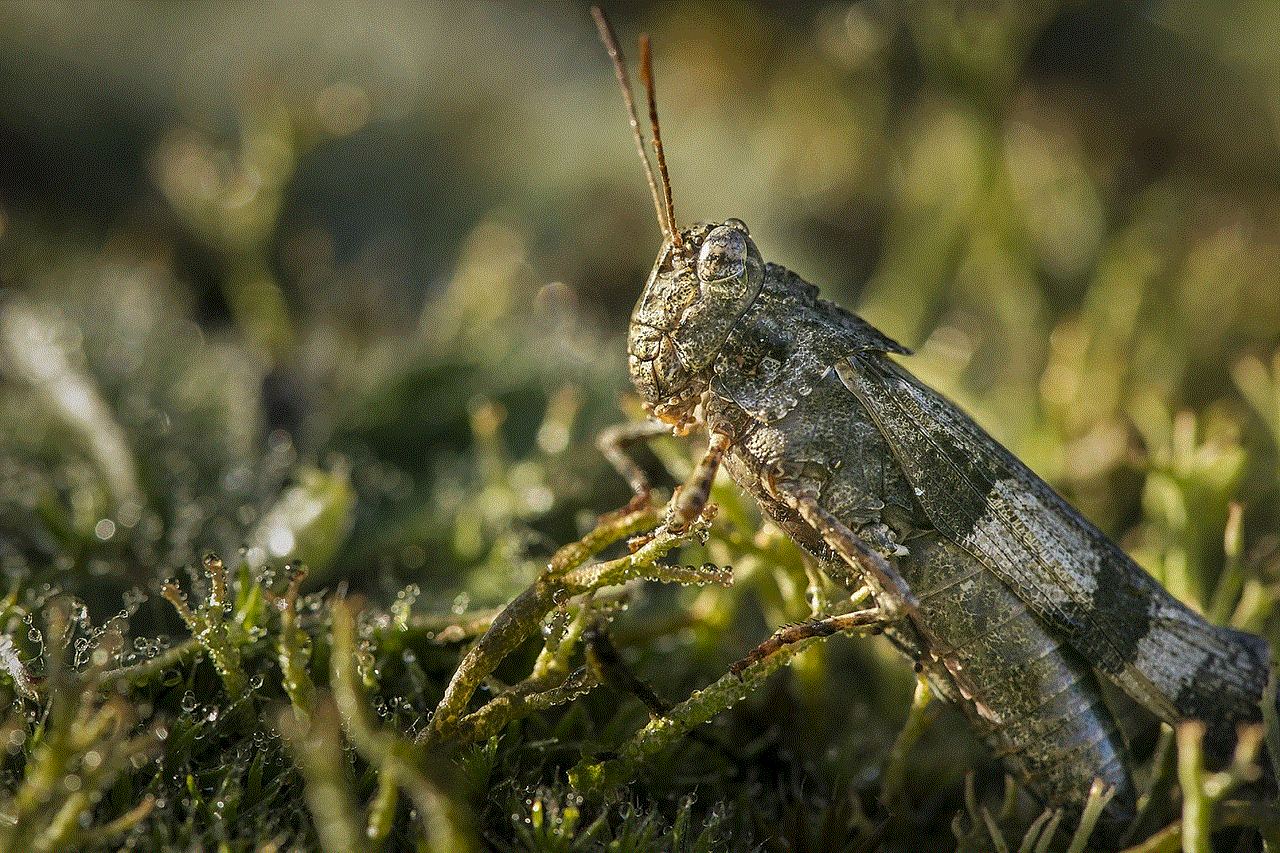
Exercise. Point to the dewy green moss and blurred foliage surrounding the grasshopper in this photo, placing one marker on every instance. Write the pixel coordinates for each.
(348, 288)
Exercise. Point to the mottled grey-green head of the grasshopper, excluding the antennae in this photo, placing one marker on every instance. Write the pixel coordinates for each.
(698, 290)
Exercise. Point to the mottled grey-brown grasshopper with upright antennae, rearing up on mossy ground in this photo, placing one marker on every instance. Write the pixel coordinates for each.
(1012, 604)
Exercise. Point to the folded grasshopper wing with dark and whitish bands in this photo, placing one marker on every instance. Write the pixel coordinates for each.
(1073, 577)
